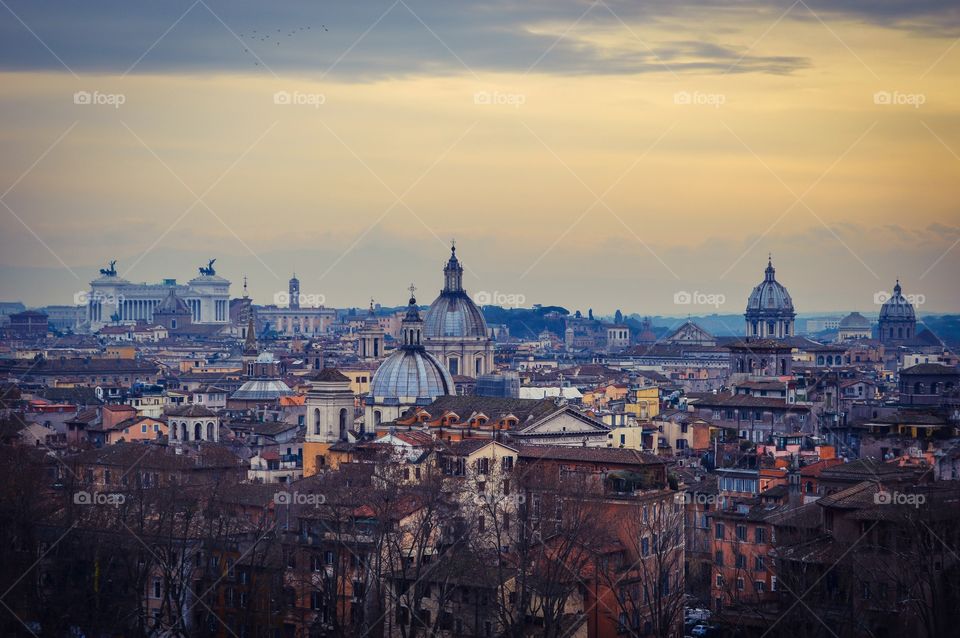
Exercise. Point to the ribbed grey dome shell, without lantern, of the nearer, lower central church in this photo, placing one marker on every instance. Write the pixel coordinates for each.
(410, 375)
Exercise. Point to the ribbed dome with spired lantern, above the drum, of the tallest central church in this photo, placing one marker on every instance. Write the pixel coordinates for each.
(453, 313)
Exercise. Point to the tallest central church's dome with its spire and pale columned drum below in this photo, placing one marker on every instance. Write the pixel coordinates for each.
(454, 329)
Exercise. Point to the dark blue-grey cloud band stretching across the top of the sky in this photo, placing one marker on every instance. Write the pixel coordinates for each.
(371, 40)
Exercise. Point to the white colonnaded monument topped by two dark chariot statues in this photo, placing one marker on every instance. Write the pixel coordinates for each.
(113, 298)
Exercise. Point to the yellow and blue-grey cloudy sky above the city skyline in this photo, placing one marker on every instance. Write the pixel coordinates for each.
(591, 154)
